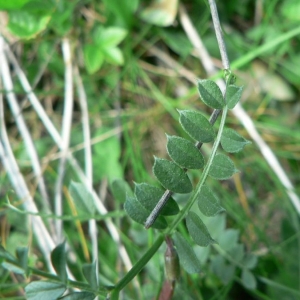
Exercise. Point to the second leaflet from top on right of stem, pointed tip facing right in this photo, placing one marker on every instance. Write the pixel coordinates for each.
(232, 141)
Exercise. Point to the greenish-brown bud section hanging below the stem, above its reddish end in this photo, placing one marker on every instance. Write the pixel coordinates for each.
(171, 262)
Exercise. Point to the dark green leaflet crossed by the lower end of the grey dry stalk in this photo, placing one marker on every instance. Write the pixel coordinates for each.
(148, 195)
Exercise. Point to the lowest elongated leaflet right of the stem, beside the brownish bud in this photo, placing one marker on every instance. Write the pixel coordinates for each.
(187, 256)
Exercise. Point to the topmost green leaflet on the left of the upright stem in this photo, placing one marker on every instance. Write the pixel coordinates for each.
(210, 94)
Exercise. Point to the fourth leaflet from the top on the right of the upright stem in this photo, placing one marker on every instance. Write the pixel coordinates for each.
(208, 203)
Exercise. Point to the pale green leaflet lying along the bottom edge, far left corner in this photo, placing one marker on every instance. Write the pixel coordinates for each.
(45, 290)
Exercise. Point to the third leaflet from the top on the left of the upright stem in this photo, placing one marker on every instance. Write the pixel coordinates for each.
(184, 153)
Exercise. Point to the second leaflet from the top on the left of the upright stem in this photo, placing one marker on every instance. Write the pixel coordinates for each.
(196, 126)
